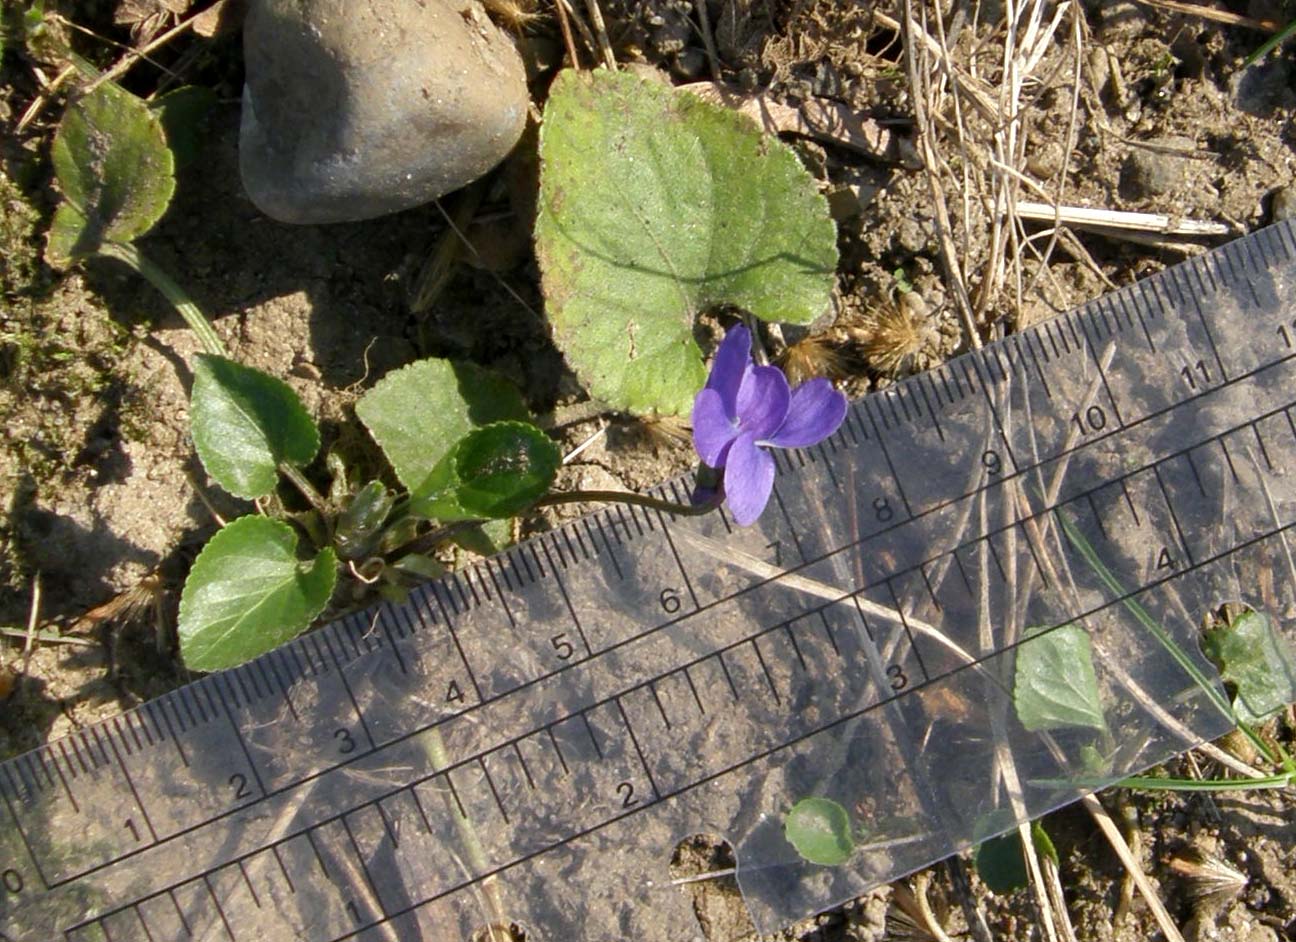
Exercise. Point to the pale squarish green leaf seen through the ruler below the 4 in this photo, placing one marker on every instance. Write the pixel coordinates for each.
(1054, 685)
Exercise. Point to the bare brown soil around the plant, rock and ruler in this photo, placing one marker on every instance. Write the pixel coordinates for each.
(106, 505)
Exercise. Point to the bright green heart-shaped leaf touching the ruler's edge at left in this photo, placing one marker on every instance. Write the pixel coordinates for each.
(248, 594)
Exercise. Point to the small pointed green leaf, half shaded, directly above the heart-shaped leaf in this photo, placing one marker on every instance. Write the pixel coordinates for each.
(246, 423)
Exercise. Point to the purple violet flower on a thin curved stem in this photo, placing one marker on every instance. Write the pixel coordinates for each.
(745, 410)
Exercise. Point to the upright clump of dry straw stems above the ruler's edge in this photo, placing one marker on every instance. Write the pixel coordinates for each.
(974, 142)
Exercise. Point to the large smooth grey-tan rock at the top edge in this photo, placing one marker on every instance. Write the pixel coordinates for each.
(360, 108)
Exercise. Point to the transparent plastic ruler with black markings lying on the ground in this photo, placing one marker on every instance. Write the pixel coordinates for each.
(529, 741)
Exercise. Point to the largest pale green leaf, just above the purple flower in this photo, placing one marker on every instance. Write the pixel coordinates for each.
(655, 207)
